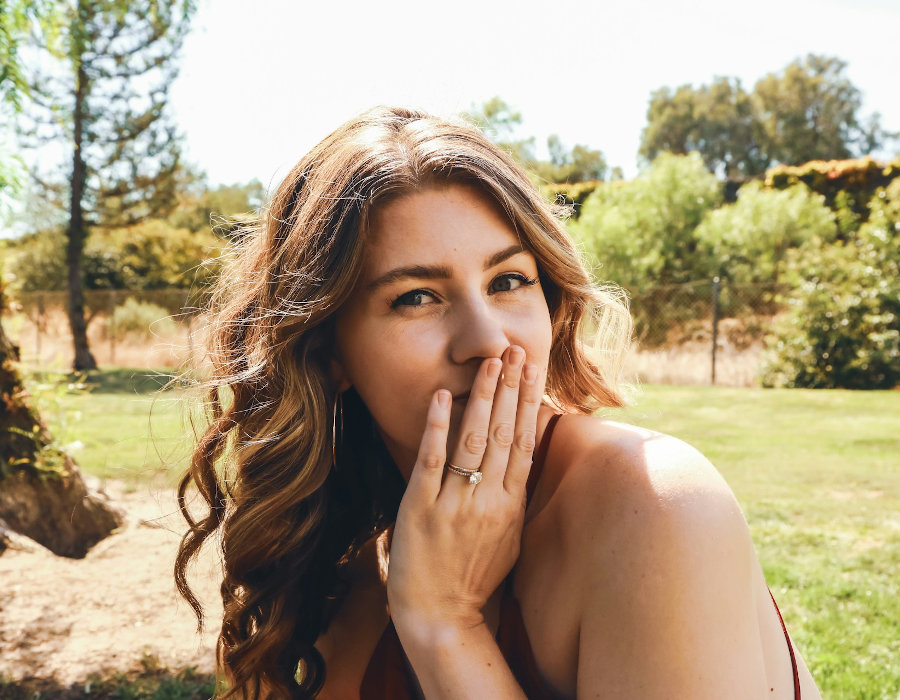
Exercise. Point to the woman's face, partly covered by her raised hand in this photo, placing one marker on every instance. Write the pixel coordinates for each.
(444, 285)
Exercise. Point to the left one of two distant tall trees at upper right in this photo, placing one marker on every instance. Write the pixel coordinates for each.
(718, 121)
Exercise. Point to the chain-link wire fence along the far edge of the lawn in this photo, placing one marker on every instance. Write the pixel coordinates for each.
(702, 332)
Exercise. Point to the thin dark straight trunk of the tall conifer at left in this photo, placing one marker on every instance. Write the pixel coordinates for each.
(76, 234)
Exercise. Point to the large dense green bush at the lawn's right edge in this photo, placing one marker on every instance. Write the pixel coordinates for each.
(843, 327)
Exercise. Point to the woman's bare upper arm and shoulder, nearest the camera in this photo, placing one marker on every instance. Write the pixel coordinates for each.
(670, 602)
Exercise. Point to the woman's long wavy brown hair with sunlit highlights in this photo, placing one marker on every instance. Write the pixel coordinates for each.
(289, 520)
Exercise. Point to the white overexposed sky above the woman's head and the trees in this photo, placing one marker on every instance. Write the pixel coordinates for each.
(263, 81)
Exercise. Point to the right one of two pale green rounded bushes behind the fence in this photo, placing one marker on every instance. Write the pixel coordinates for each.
(747, 241)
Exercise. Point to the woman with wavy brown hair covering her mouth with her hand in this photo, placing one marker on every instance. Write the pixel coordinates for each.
(388, 350)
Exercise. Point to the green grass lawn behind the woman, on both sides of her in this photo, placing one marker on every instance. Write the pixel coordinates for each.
(817, 474)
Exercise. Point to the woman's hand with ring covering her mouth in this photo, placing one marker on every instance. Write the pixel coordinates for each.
(454, 542)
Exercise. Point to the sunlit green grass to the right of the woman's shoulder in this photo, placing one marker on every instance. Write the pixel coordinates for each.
(818, 476)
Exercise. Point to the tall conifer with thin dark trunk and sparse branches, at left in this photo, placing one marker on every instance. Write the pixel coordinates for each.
(105, 96)
